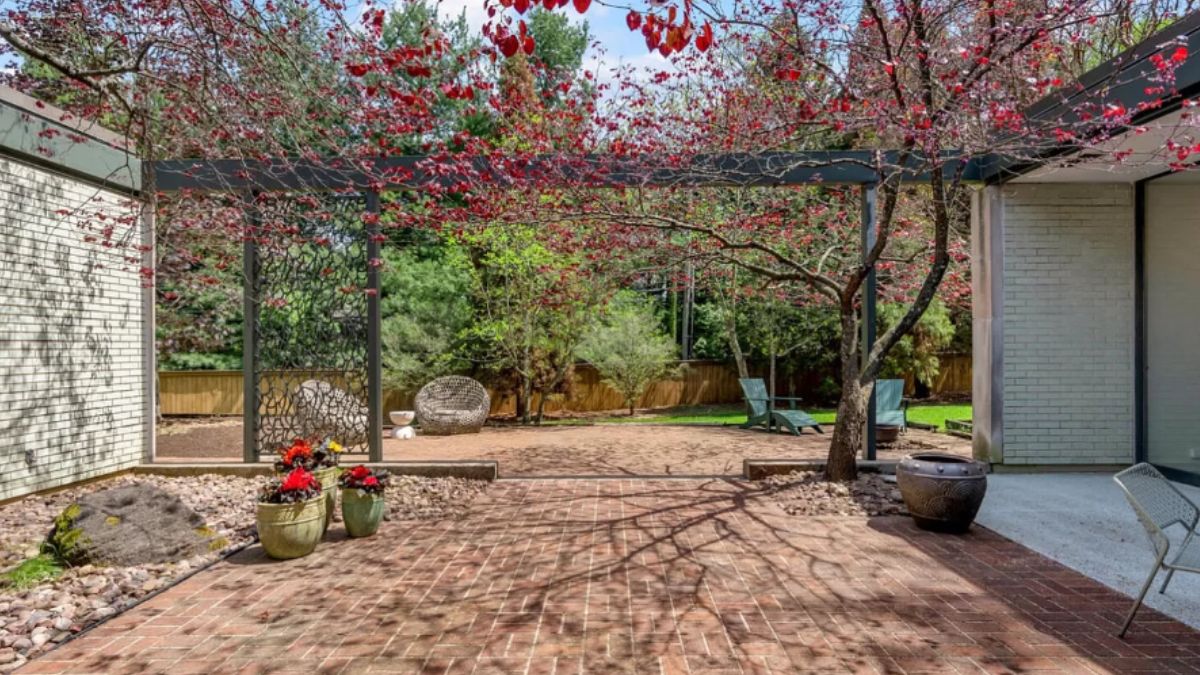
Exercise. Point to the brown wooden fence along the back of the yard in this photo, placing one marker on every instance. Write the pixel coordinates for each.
(219, 392)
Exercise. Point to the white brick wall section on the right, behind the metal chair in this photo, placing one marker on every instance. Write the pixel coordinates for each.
(1069, 328)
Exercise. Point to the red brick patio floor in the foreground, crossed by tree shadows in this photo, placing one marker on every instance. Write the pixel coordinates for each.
(637, 577)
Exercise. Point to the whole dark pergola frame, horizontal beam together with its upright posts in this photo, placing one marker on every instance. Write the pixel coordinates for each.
(363, 180)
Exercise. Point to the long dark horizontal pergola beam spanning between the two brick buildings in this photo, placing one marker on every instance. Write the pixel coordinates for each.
(842, 168)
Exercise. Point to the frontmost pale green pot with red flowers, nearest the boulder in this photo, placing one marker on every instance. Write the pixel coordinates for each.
(291, 516)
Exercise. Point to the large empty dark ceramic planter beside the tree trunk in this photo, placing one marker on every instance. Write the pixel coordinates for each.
(943, 492)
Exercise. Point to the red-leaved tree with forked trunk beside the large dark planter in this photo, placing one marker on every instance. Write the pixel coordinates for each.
(917, 87)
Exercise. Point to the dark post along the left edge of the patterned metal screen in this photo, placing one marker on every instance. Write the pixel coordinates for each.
(249, 334)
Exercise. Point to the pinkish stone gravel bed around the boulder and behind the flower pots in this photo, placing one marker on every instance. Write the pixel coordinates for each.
(35, 620)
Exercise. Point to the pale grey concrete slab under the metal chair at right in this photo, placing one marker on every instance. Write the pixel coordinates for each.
(1084, 522)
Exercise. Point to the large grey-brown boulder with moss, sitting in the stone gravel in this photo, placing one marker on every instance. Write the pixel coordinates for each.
(130, 525)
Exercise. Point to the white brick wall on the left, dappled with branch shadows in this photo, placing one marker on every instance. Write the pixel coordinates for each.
(71, 351)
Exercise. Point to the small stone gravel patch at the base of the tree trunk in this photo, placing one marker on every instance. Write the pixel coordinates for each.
(807, 493)
